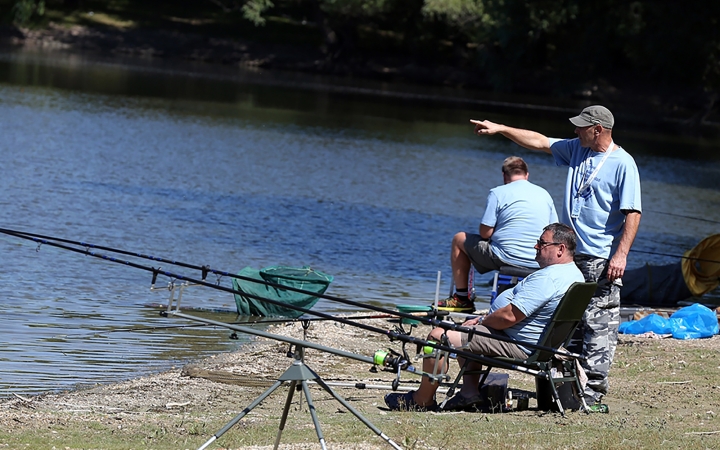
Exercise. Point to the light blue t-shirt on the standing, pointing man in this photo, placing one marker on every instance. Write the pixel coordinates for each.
(599, 221)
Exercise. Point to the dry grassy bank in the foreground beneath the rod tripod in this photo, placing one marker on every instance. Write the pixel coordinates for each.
(665, 394)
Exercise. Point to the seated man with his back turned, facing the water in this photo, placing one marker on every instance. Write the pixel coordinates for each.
(514, 217)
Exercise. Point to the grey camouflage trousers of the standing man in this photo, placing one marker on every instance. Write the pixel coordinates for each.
(596, 337)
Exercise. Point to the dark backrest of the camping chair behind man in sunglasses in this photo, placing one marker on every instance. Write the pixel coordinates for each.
(565, 319)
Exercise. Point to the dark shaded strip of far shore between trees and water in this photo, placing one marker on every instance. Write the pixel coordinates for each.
(411, 82)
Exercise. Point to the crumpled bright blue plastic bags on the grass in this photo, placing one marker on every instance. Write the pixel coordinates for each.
(692, 322)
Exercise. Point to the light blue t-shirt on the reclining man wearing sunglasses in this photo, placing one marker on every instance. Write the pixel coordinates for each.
(537, 296)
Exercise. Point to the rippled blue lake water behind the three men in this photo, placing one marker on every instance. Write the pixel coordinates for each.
(230, 168)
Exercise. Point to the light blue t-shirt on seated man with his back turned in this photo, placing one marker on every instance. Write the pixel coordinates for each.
(518, 211)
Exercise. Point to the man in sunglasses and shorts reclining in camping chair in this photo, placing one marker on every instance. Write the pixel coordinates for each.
(527, 310)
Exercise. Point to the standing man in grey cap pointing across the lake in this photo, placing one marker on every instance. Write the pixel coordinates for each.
(602, 205)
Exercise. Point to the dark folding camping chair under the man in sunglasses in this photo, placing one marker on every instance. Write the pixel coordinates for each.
(557, 334)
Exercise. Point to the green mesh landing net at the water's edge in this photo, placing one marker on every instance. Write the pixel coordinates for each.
(303, 278)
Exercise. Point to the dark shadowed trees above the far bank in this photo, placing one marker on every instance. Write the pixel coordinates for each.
(663, 48)
